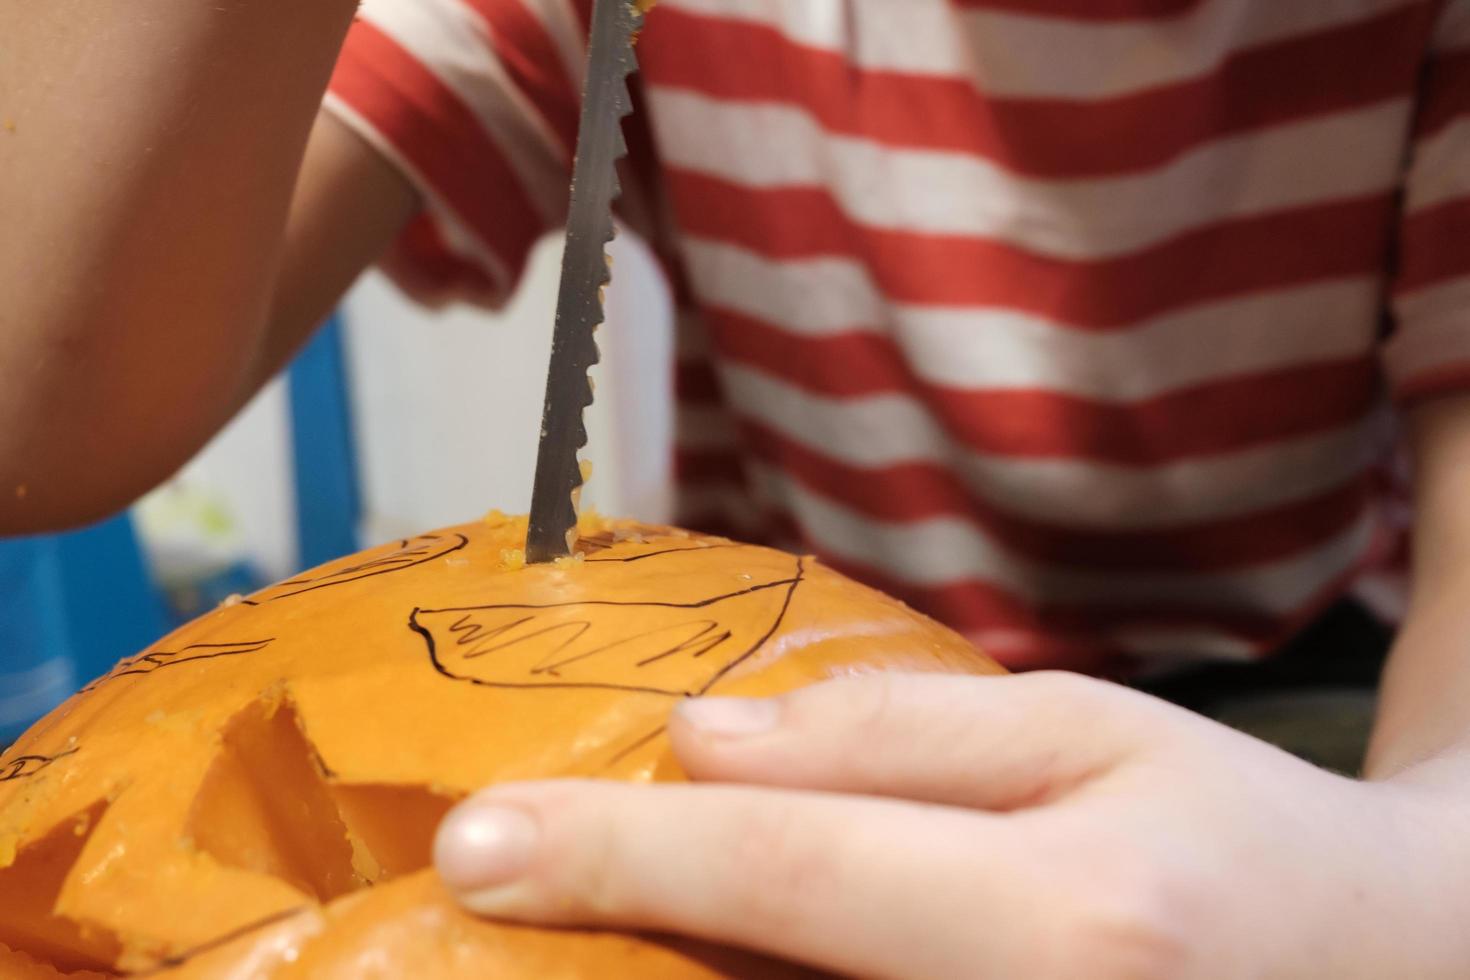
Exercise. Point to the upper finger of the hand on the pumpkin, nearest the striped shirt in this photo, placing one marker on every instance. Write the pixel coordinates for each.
(986, 743)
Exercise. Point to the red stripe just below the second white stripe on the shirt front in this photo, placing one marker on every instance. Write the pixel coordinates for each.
(1228, 259)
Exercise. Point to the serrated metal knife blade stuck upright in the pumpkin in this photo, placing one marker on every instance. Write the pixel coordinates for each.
(584, 275)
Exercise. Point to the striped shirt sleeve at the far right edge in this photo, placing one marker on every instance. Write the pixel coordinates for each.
(1430, 352)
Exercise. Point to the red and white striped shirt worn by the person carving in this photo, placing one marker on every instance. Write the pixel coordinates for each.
(1078, 324)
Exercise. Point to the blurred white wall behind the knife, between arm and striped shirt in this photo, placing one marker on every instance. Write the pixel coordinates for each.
(448, 409)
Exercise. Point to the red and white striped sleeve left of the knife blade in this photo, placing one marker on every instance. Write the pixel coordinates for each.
(477, 104)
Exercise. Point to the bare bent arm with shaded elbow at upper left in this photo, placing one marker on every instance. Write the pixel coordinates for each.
(179, 215)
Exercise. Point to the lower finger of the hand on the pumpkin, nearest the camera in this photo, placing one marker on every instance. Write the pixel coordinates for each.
(862, 887)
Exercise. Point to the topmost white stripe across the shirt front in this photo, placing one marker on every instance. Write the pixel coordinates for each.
(1018, 55)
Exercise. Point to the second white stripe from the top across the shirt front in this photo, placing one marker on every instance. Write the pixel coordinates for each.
(940, 193)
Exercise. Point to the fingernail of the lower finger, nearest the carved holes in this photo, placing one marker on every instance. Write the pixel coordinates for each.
(483, 846)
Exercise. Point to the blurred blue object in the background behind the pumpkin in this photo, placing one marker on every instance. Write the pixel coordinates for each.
(74, 605)
